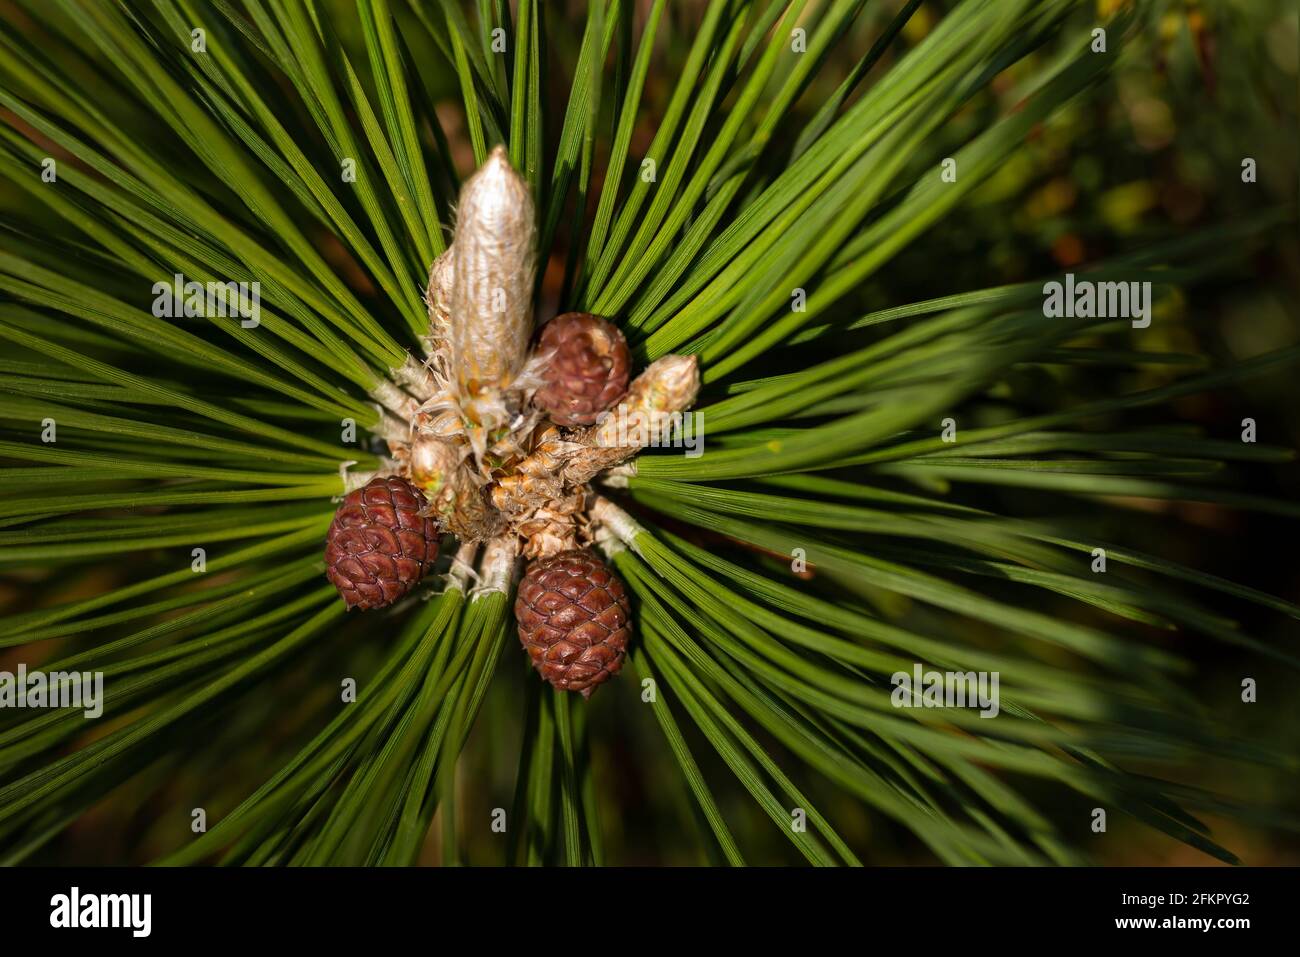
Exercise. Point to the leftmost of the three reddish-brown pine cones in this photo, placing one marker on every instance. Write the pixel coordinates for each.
(379, 545)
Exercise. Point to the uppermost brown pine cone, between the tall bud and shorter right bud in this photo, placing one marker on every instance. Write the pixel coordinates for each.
(588, 371)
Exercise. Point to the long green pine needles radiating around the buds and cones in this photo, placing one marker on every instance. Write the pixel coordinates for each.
(757, 691)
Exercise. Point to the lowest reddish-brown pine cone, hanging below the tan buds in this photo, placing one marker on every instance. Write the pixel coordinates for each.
(574, 620)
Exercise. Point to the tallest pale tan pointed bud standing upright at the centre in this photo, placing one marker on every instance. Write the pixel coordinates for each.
(495, 265)
